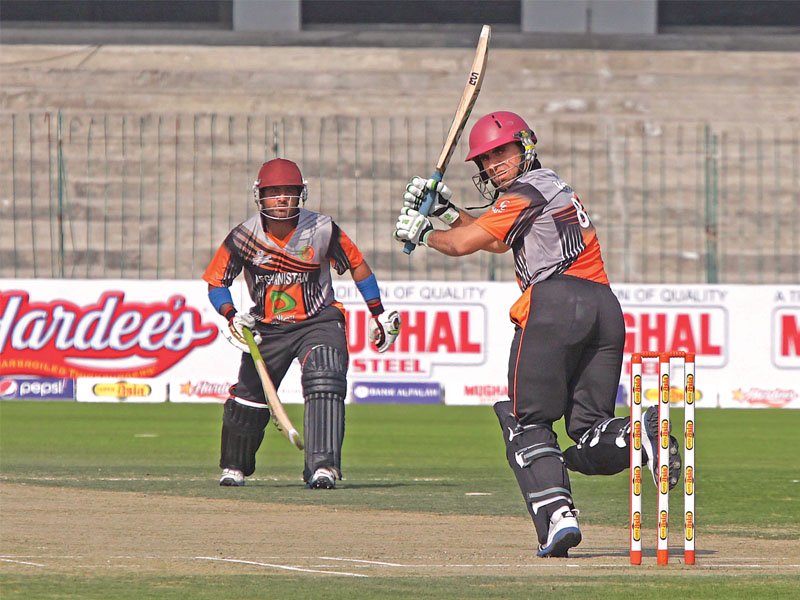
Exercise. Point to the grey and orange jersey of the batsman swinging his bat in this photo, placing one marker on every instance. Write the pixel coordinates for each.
(543, 221)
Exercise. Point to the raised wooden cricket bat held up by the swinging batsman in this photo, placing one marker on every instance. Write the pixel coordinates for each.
(468, 98)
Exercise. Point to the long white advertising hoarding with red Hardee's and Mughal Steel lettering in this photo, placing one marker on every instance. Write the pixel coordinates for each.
(746, 338)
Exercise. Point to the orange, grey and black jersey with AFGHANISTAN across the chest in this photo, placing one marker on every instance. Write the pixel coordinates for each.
(289, 280)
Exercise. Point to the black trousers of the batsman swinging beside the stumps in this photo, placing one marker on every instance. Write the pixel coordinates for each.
(566, 361)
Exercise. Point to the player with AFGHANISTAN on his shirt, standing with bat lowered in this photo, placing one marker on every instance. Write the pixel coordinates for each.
(286, 253)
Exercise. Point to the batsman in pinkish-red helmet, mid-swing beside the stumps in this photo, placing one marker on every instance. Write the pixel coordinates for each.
(566, 354)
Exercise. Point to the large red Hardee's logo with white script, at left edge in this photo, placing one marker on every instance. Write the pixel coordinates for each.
(109, 338)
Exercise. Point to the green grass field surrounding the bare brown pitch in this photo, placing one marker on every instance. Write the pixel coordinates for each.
(419, 459)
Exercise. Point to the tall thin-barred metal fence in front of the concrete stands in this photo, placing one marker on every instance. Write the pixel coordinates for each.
(152, 195)
